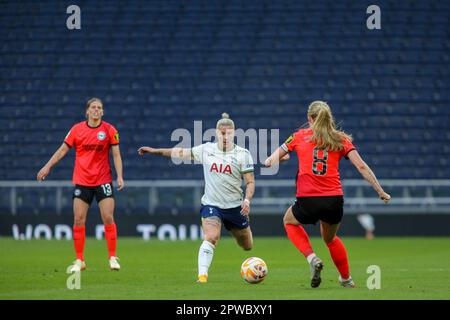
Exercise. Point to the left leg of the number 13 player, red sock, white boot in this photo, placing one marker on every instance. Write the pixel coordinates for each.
(80, 209)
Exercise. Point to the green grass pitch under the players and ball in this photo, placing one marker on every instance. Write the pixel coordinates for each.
(411, 268)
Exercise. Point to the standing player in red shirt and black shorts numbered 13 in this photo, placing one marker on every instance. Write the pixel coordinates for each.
(92, 140)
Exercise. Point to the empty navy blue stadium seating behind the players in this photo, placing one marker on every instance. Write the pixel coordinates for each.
(160, 65)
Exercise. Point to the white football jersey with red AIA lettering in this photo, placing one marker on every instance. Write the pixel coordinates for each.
(223, 171)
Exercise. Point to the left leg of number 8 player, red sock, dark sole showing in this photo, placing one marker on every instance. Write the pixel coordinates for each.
(300, 239)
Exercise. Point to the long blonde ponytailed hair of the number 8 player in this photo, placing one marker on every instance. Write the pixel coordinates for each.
(325, 134)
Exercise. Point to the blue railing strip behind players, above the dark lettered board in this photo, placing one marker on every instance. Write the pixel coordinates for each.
(183, 197)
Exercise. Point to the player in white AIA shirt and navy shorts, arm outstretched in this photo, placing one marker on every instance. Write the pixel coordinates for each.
(224, 166)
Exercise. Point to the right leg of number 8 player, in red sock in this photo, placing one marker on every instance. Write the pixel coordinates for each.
(337, 252)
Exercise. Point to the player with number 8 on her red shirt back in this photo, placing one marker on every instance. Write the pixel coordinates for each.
(319, 192)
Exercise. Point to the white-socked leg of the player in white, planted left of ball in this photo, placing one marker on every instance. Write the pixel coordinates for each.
(211, 230)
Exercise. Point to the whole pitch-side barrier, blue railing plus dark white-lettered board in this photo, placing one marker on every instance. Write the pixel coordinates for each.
(169, 209)
